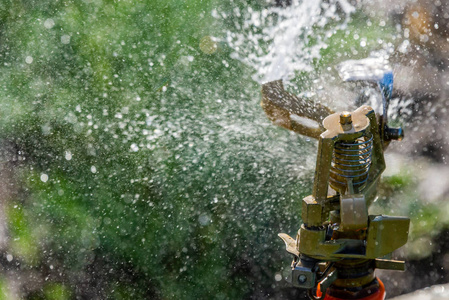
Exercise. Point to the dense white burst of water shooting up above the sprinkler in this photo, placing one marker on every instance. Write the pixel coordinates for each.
(280, 41)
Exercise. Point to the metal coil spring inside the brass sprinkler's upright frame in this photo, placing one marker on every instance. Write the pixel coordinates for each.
(351, 161)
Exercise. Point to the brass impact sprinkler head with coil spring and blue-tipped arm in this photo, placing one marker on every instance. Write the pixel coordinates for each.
(339, 245)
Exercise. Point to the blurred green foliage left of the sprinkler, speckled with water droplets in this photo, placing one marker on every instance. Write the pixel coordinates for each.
(143, 167)
